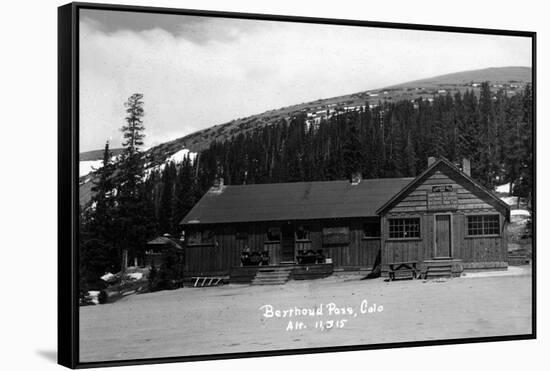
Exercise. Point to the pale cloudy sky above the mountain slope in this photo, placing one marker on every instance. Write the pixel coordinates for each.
(196, 72)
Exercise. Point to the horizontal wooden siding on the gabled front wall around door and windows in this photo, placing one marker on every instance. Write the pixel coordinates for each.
(471, 201)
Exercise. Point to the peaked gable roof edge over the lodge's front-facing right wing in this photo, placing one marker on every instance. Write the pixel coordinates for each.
(443, 162)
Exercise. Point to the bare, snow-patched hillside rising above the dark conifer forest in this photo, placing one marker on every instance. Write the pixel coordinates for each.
(513, 79)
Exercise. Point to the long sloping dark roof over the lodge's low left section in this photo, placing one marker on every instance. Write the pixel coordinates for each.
(294, 201)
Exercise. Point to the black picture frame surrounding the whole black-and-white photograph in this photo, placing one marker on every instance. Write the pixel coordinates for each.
(68, 200)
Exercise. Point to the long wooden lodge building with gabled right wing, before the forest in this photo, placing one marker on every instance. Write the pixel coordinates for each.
(442, 215)
